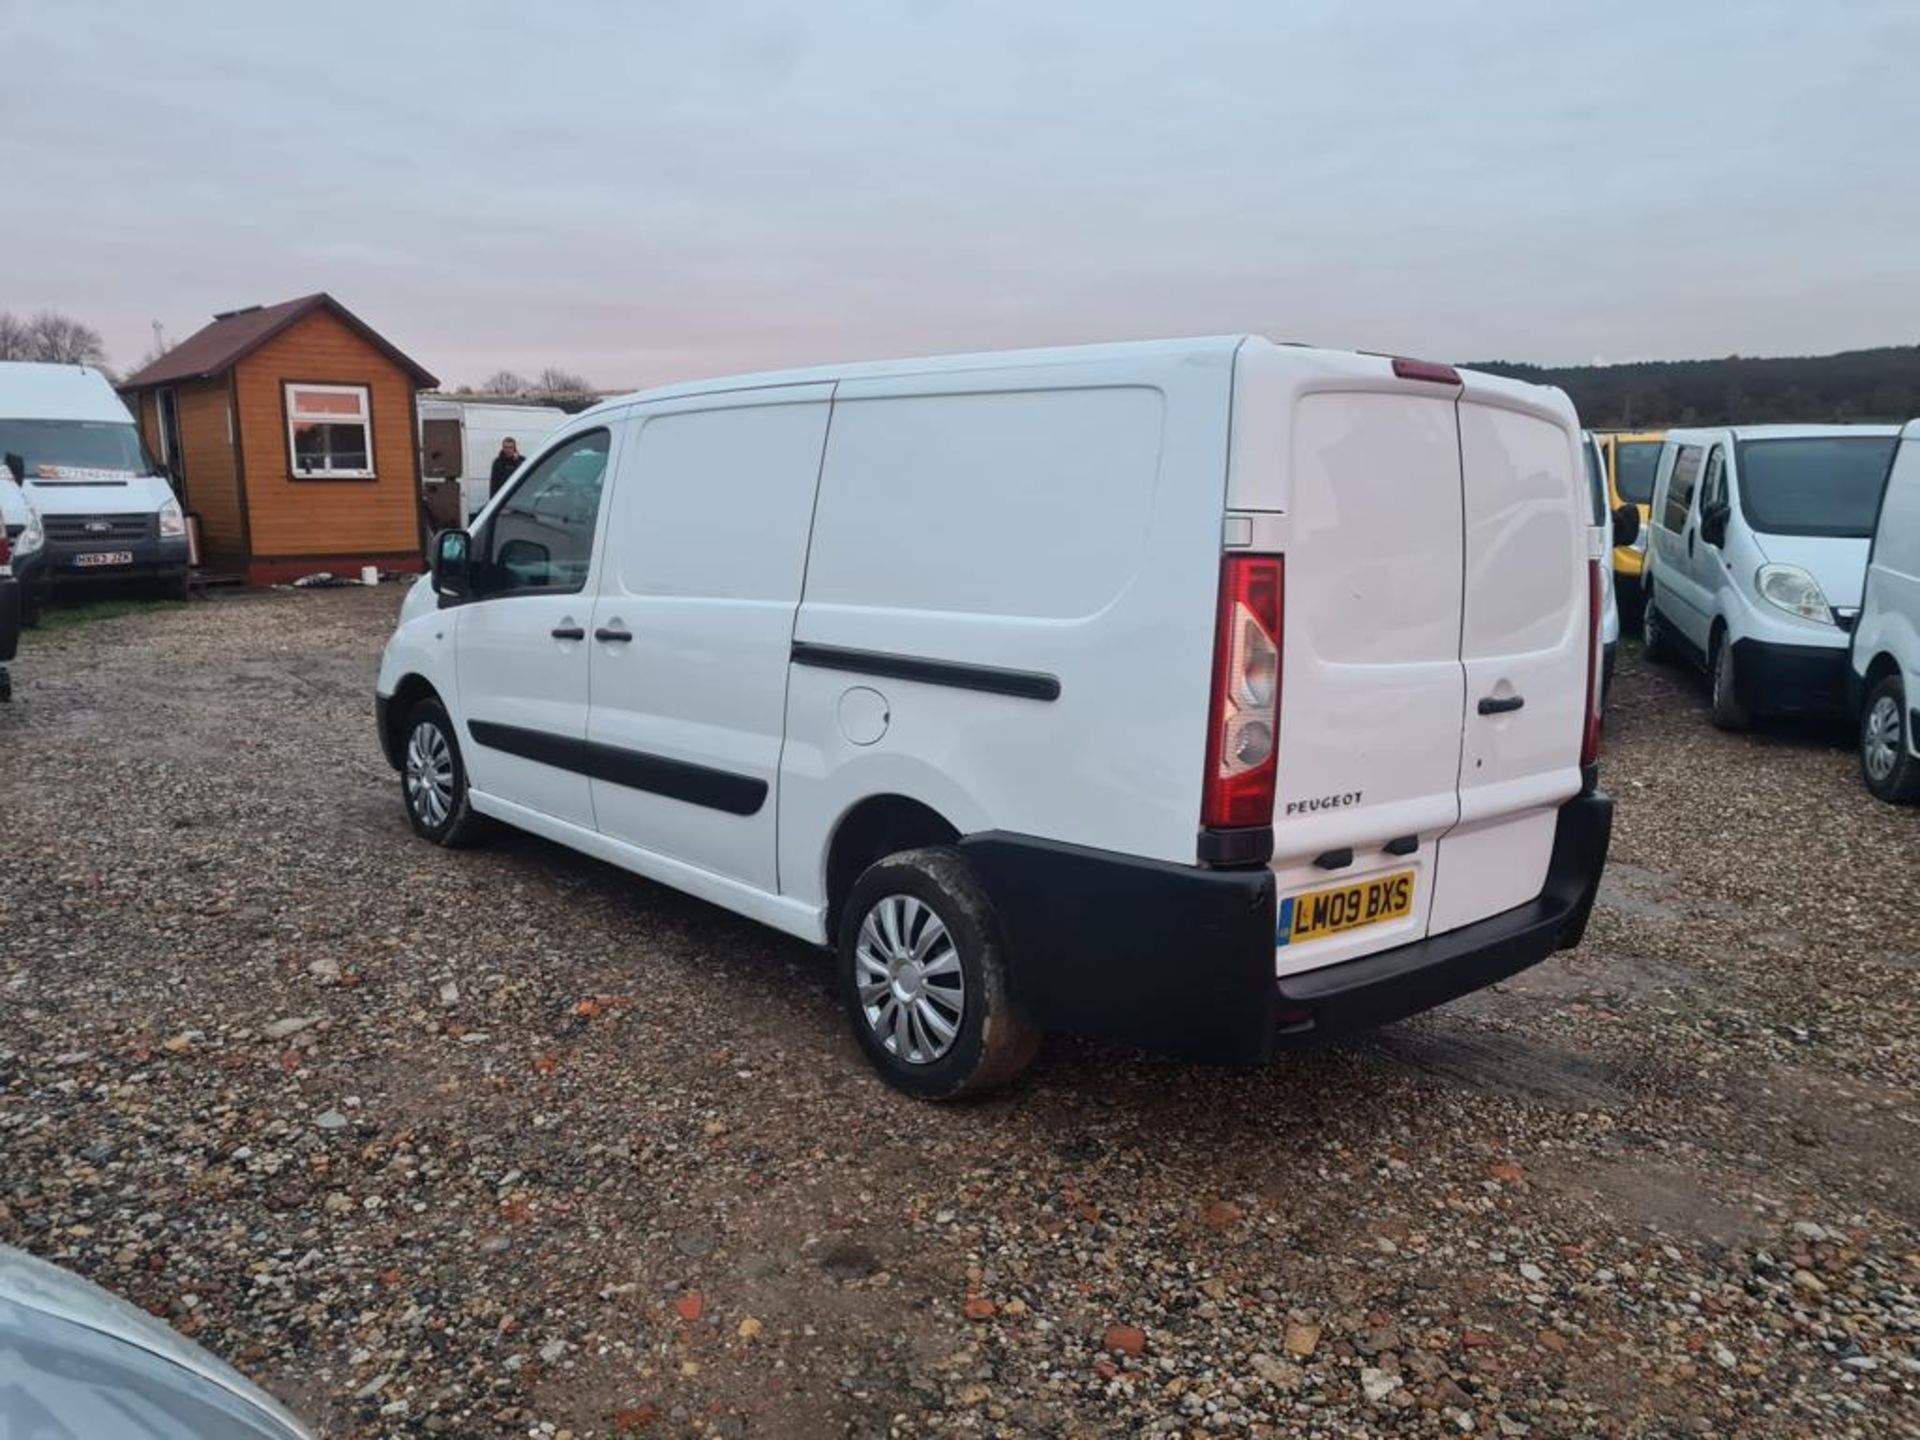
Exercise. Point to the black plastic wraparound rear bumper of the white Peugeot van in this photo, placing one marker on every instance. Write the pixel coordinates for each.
(1180, 961)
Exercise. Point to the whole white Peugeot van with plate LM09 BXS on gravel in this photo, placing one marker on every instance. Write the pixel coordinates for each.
(1195, 694)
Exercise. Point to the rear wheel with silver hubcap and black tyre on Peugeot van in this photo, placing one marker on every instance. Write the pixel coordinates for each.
(924, 978)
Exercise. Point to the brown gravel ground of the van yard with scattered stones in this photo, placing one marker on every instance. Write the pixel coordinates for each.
(508, 1143)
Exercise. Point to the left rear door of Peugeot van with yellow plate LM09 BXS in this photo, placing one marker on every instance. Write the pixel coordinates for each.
(1366, 471)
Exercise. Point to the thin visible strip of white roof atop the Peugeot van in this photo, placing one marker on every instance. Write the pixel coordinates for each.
(1143, 352)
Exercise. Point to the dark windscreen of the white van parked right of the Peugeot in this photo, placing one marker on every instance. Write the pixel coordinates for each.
(1817, 487)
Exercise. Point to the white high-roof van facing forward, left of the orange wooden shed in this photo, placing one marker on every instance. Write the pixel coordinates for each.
(107, 508)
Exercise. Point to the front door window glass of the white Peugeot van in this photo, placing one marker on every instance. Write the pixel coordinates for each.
(542, 537)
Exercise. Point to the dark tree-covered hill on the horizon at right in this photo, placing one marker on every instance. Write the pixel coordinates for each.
(1858, 385)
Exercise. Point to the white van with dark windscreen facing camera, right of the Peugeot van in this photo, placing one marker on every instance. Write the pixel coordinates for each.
(1758, 560)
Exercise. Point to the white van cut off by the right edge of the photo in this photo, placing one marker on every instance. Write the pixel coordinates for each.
(1884, 675)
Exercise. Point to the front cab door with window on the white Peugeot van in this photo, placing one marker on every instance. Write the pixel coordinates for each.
(521, 640)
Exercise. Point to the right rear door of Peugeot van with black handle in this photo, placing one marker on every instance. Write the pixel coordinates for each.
(1524, 646)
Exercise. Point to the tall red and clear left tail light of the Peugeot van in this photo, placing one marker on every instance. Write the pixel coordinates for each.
(1245, 721)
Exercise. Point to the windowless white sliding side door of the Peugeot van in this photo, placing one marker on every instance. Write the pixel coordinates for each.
(694, 627)
